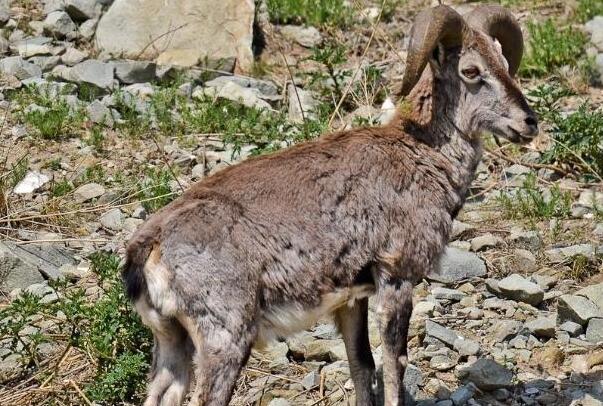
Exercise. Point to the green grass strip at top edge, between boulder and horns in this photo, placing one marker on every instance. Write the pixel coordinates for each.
(319, 13)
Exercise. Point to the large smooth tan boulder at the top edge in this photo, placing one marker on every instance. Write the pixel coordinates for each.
(183, 32)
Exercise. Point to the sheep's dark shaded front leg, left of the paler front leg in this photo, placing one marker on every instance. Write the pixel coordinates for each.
(353, 325)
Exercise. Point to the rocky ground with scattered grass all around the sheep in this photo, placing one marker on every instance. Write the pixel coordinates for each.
(92, 144)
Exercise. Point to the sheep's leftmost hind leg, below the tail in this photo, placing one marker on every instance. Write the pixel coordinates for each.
(172, 359)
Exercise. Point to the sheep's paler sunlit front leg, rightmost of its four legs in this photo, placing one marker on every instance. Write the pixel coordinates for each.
(394, 307)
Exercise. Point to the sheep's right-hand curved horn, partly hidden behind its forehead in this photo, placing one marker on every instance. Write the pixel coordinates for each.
(500, 23)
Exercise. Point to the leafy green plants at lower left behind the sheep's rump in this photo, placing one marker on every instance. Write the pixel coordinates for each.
(106, 329)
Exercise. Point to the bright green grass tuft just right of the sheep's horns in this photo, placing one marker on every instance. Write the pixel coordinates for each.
(551, 46)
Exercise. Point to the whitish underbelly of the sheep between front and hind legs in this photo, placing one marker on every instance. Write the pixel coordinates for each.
(292, 318)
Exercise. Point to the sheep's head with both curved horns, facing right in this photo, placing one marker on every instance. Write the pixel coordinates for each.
(473, 58)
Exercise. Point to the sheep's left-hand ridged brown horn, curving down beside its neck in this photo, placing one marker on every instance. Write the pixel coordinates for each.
(440, 24)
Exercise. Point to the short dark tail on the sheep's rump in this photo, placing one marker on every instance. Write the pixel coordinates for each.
(137, 252)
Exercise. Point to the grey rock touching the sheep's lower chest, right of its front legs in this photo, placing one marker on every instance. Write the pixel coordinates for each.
(458, 265)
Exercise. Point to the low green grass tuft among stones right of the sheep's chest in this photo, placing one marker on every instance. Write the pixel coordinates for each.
(529, 202)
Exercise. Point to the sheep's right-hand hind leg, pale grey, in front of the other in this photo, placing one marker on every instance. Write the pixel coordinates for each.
(221, 354)
